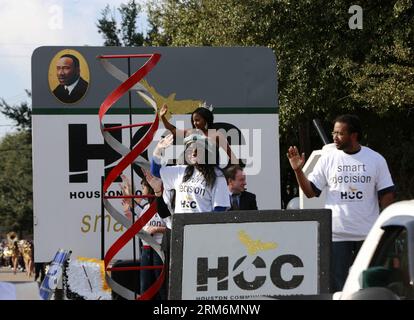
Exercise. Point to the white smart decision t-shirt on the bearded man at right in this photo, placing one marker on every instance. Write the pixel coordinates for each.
(353, 182)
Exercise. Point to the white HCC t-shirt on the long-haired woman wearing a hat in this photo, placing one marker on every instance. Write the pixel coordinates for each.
(193, 195)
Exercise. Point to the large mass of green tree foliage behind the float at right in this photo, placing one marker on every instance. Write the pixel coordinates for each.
(324, 67)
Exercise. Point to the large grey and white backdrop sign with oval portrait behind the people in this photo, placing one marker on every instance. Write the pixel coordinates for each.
(69, 153)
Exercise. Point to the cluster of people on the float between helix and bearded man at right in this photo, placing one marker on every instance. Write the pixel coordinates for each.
(196, 185)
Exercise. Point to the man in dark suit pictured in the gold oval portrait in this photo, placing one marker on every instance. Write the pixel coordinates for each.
(71, 86)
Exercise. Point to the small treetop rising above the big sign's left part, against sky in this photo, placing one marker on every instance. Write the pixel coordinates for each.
(126, 34)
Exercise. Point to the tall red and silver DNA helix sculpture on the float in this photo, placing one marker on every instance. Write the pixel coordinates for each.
(129, 157)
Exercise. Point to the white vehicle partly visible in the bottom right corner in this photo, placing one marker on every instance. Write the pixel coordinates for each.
(384, 266)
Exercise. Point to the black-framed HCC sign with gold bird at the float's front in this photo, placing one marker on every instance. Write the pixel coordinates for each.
(250, 254)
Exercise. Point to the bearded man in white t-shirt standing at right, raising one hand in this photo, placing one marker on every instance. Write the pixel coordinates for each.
(358, 182)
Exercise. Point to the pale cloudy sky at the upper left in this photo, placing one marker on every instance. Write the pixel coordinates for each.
(28, 24)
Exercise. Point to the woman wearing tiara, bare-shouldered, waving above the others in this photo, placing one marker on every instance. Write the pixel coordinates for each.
(201, 119)
